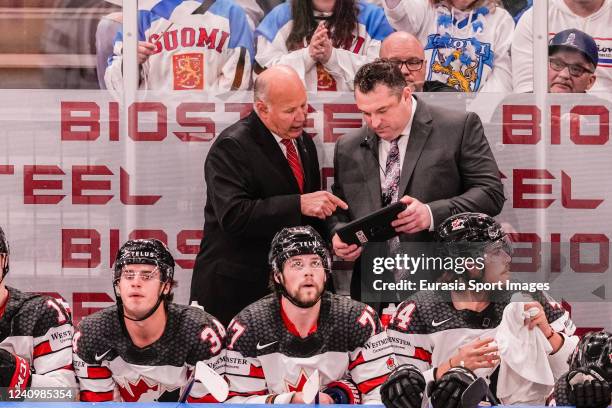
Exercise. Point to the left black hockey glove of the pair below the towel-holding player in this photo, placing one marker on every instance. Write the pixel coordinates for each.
(404, 388)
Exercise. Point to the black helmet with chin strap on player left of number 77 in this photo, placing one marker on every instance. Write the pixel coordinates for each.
(147, 252)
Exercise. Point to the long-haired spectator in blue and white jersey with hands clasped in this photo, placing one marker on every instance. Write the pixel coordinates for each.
(325, 41)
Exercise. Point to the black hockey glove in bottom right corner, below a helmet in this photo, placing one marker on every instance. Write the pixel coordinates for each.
(583, 388)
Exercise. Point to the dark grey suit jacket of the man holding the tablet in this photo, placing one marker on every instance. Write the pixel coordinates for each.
(448, 165)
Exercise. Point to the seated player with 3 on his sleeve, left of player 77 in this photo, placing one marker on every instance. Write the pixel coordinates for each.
(145, 348)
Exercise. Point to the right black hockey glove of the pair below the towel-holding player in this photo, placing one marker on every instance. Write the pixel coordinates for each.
(448, 390)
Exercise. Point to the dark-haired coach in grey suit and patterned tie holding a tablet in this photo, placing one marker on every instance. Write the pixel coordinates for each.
(443, 162)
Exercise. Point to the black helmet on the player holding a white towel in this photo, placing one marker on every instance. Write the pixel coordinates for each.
(467, 233)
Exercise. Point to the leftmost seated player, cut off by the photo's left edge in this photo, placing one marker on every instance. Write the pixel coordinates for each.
(35, 336)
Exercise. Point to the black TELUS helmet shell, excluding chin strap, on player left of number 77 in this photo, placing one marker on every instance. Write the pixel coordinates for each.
(148, 252)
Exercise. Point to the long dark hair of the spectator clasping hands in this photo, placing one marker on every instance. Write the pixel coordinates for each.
(340, 25)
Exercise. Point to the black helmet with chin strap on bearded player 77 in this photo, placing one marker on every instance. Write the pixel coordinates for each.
(293, 241)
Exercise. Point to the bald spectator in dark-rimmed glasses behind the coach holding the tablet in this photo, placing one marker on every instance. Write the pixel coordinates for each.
(407, 53)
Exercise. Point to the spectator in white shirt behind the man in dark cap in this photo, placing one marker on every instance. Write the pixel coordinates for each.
(594, 17)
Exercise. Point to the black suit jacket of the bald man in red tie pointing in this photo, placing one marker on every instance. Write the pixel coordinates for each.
(251, 195)
